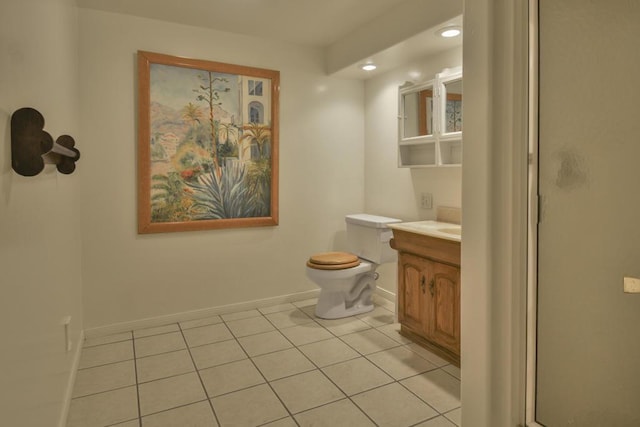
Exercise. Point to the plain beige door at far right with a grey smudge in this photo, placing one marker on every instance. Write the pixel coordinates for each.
(588, 348)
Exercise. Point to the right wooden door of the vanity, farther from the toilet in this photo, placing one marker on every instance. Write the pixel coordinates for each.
(443, 306)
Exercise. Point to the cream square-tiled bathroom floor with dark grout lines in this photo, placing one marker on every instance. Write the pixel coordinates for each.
(276, 366)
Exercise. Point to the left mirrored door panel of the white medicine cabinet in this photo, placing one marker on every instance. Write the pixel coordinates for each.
(418, 112)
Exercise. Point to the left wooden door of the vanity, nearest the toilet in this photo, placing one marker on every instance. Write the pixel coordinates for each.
(413, 275)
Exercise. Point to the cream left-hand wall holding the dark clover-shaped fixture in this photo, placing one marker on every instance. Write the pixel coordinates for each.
(40, 244)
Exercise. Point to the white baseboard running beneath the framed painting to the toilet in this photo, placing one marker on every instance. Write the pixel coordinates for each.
(197, 314)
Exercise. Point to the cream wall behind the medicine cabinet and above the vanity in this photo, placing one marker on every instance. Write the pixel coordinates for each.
(393, 191)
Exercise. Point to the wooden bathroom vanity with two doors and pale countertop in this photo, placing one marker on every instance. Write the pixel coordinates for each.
(429, 285)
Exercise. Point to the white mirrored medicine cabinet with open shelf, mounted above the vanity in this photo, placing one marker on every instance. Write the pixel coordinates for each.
(430, 121)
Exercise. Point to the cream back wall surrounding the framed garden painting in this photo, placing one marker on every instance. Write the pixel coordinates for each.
(130, 276)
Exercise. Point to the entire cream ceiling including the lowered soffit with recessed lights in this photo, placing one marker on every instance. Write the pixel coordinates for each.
(388, 34)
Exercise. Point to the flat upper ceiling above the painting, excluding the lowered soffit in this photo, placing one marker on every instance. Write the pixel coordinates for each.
(316, 23)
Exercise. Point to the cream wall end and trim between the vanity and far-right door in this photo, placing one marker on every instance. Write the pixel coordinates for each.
(494, 218)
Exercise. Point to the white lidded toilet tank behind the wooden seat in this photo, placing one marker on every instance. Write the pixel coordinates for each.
(368, 237)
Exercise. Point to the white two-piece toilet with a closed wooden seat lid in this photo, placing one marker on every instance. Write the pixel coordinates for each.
(347, 280)
